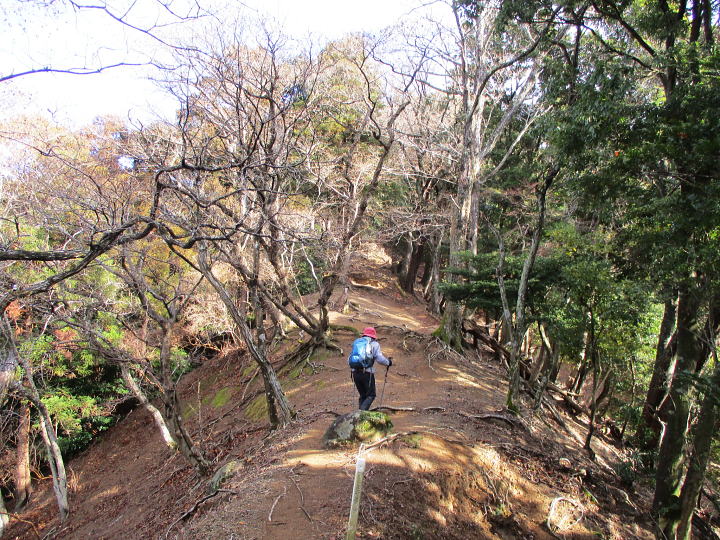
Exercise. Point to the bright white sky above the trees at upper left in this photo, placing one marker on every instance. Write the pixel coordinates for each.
(40, 33)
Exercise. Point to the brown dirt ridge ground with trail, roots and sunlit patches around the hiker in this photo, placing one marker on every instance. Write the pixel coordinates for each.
(456, 469)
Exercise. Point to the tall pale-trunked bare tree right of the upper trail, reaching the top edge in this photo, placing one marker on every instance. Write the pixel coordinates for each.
(491, 75)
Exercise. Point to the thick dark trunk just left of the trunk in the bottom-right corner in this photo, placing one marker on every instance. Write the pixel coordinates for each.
(671, 455)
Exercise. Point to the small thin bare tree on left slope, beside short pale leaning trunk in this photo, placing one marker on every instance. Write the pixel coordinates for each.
(162, 289)
